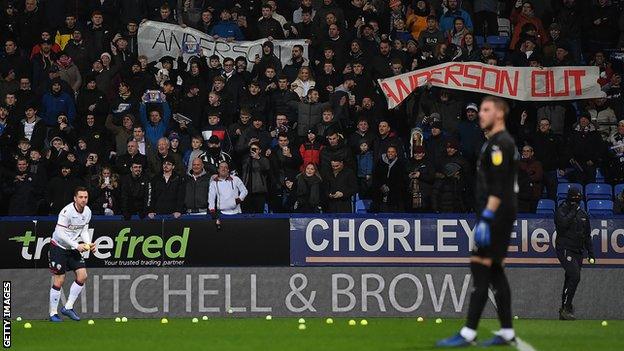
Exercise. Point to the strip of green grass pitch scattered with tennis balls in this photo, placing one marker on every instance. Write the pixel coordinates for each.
(225, 334)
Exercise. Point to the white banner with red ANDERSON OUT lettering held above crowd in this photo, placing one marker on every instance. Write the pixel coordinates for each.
(517, 83)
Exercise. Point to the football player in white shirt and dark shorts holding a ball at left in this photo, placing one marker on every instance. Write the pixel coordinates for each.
(69, 240)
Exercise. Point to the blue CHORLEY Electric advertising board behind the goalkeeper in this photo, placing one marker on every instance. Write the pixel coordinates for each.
(440, 241)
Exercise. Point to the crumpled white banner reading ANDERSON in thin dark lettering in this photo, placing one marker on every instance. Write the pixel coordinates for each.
(158, 39)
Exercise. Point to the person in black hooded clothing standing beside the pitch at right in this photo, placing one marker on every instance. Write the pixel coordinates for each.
(573, 237)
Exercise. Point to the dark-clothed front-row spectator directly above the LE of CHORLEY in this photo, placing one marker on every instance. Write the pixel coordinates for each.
(421, 177)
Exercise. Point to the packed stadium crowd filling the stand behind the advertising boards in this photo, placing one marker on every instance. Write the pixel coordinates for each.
(79, 105)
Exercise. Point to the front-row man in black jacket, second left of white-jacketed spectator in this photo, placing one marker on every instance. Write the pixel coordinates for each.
(166, 191)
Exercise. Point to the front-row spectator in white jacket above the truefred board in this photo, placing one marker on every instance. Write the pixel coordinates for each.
(226, 192)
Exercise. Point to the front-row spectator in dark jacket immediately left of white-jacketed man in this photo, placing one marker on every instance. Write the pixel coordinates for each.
(196, 193)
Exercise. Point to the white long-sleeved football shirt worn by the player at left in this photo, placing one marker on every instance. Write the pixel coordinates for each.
(71, 227)
